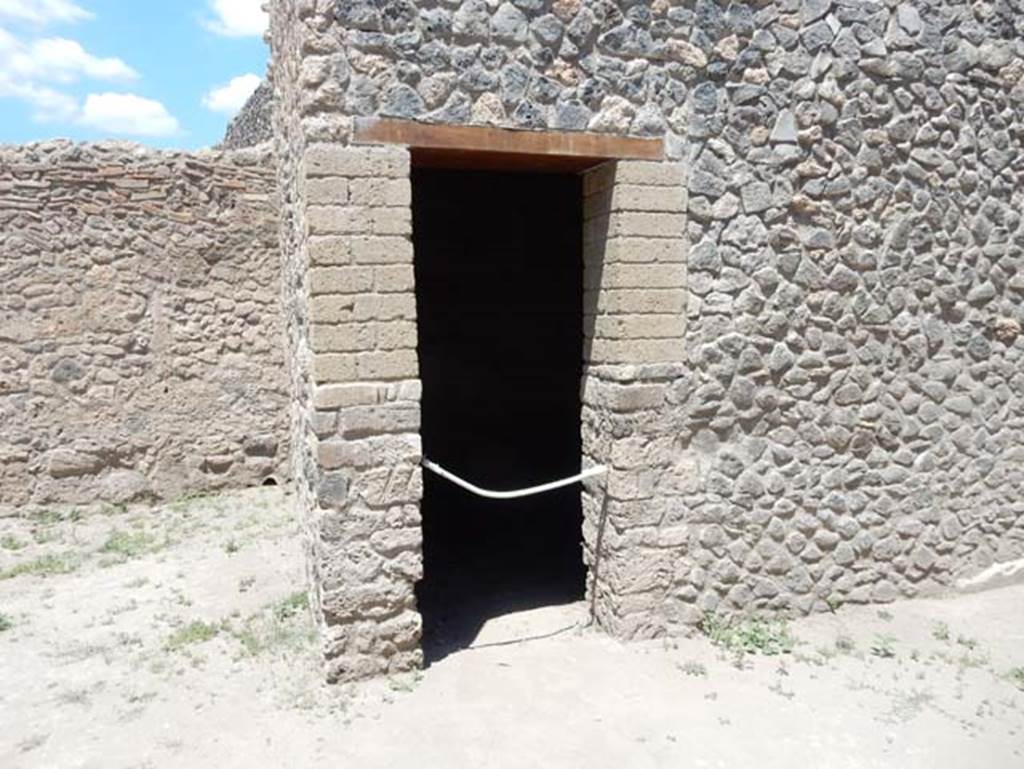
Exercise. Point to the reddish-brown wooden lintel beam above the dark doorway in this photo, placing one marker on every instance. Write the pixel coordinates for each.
(505, 141)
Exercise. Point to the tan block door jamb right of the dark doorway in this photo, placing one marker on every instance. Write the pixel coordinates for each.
(635, 304)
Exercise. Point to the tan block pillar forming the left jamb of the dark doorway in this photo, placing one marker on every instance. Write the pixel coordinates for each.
(359, 409)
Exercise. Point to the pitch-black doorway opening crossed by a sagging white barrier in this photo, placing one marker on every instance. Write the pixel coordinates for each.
(499, 277)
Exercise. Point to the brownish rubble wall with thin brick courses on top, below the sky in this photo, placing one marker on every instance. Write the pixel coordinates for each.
(141, 340)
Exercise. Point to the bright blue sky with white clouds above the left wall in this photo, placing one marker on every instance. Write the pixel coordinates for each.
(165, 73)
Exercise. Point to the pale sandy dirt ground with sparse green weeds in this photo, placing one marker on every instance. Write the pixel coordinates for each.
(178, 636)
